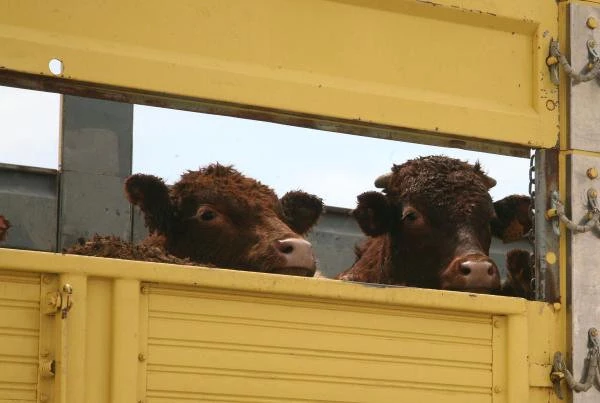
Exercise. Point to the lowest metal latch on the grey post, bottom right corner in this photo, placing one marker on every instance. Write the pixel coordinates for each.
(591, 371)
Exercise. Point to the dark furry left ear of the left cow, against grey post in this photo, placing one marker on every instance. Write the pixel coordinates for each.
(151, 195)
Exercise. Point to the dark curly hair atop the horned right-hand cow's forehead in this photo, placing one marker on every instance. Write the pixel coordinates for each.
(442, 185)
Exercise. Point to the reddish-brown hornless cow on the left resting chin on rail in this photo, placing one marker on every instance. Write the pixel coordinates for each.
(217, 216)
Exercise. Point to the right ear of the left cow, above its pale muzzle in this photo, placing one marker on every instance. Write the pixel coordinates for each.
(301, 210)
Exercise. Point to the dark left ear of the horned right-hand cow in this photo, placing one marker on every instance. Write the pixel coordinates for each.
(373, 213)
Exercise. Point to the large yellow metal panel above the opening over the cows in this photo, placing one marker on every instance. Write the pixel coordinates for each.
(464, 68)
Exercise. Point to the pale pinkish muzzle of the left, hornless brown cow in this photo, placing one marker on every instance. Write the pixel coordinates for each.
(298, 257)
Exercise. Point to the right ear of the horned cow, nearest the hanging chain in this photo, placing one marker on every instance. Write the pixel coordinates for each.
(512, 221)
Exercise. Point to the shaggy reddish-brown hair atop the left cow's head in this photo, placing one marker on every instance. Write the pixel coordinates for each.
(218, 182)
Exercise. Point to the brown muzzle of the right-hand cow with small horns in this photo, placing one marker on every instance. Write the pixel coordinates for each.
(475, 273)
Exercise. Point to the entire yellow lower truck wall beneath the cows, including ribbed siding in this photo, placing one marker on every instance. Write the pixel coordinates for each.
(219, 335)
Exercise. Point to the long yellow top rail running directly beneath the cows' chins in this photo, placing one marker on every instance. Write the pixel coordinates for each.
(239, 281)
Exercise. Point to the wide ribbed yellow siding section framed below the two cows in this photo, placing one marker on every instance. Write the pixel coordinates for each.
(235, 347)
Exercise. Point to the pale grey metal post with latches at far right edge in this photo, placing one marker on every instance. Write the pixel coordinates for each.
(583, 153)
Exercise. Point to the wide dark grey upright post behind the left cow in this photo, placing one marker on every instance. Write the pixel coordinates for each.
(96, 154)
